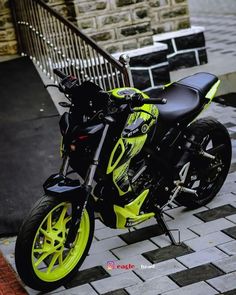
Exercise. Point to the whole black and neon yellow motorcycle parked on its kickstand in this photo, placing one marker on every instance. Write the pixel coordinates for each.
(178, 158)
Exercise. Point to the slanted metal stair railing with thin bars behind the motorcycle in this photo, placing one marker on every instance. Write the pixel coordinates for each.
(51, 42)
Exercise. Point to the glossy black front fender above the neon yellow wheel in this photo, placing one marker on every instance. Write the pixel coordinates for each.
(60, 186)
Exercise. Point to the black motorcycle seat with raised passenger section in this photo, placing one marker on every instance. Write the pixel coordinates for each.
(185, 97)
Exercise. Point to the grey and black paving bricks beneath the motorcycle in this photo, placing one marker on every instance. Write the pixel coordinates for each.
(143, 260)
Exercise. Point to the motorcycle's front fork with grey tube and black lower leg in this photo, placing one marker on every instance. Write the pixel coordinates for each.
(77, 207)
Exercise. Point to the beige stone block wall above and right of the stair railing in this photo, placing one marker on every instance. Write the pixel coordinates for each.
(121, 25)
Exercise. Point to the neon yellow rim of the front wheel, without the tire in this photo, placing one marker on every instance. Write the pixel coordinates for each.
(50, 260)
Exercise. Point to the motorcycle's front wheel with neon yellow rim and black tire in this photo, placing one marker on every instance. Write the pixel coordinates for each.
(42, 260)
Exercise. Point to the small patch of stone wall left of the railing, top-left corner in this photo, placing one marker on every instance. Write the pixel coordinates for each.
(8, 44)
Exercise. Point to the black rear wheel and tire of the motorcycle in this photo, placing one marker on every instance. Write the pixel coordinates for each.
(207, 131)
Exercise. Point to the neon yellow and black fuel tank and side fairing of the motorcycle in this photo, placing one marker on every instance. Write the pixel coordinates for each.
(127, 147)
